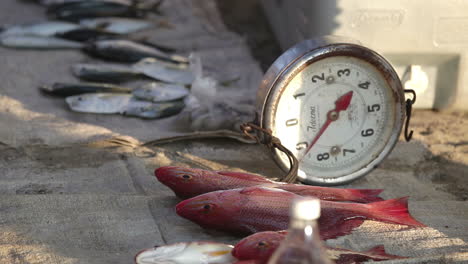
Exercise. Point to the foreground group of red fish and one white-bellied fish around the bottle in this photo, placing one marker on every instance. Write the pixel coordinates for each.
(251, 204)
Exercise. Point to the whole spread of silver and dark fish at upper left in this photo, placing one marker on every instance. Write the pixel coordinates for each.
(97, 28)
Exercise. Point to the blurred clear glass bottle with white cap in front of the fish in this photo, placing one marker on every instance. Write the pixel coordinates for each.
(302, 244)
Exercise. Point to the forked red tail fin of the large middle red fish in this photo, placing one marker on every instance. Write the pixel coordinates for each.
(393, 211)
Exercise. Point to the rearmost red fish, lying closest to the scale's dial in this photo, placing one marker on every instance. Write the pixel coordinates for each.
(188, 182)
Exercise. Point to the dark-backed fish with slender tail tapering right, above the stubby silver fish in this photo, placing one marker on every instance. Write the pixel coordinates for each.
(128, 51)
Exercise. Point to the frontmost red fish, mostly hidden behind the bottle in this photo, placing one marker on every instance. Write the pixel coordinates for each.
(258, 248)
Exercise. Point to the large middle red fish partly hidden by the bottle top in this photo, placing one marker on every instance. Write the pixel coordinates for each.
(256, 209)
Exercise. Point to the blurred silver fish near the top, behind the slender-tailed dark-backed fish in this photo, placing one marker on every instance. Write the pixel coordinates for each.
(116, 25)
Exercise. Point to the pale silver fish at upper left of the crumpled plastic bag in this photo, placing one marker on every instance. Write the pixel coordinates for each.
(163, 71)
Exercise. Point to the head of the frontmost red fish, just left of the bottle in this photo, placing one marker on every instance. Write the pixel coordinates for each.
(259, 246)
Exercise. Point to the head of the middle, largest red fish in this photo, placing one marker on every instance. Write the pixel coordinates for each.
(212, 210)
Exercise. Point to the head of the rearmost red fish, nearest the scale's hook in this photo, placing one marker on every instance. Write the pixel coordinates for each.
(182, 181)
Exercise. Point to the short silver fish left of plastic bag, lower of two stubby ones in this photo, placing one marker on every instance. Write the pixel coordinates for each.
(161, 92)
